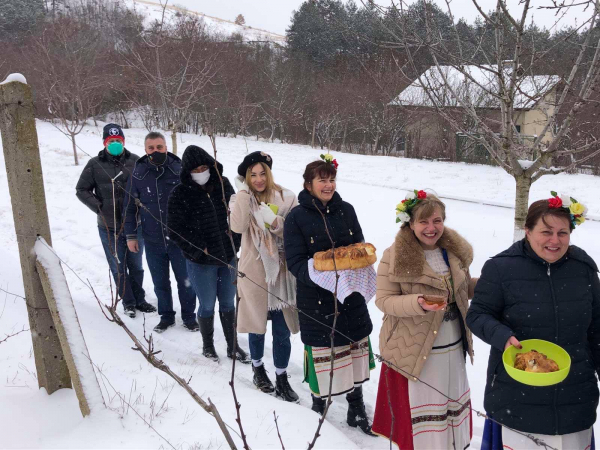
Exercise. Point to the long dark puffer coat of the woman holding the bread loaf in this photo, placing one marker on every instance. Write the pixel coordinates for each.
(304, 235)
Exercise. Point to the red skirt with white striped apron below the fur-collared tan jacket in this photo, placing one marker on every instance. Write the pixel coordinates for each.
(416, 417)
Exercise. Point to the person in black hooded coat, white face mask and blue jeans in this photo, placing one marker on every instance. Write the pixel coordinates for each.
(197, 223)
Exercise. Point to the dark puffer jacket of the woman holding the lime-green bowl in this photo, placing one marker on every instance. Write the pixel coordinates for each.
(521, 295)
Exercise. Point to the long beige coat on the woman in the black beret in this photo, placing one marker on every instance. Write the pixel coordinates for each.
(253, 307)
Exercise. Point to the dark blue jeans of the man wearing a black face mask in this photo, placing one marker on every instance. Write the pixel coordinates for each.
(158, 258)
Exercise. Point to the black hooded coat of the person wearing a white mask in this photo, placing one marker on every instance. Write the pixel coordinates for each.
(197, 216)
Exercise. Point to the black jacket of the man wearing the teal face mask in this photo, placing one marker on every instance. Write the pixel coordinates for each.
(94, 187)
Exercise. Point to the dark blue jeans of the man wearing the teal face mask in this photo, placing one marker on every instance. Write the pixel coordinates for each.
(128, 273)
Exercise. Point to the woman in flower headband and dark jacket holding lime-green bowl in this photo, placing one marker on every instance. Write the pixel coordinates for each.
(541, 288)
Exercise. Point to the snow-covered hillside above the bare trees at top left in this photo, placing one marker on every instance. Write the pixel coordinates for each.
(153, 10)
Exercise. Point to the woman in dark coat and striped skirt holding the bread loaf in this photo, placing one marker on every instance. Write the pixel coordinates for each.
(304, 235)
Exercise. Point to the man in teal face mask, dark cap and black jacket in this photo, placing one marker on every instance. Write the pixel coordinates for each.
(102, 180)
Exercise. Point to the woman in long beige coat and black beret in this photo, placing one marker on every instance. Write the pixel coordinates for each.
(258, 213)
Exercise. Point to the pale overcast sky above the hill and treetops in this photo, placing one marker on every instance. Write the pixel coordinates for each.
(275, 15)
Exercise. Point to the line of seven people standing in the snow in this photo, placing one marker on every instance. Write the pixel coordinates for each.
(186, 214)
